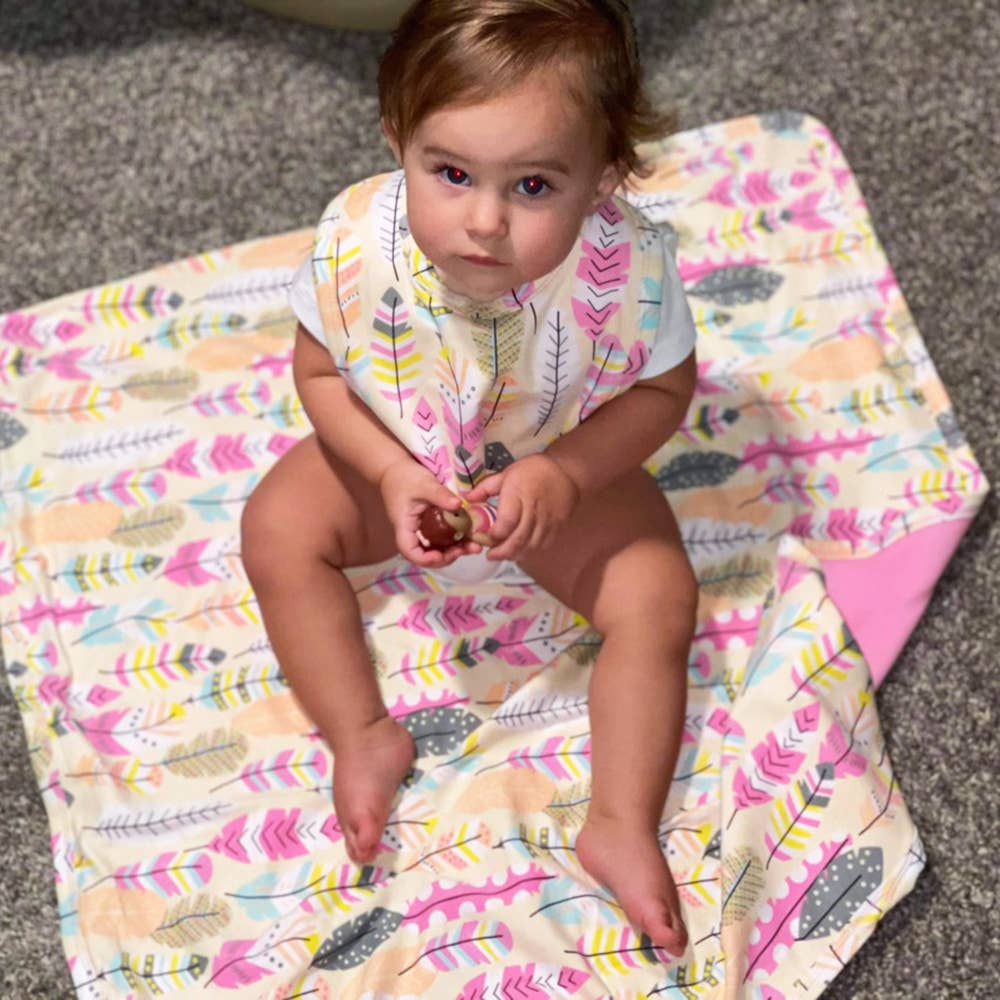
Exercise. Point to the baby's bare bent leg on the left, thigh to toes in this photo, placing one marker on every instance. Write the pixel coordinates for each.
(308, 519)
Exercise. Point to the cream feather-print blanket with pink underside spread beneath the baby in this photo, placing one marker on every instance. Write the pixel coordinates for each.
(821, 481)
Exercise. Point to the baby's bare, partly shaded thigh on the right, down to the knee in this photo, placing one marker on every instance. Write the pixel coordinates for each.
(621, 549)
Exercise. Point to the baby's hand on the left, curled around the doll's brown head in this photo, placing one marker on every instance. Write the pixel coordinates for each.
(408, 489)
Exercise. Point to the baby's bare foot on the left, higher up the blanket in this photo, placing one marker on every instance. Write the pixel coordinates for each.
(367, 772)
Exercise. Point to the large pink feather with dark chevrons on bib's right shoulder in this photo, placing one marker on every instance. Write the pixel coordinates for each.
(603, 270)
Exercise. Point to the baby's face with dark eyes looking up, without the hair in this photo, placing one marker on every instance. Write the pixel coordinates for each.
(497, 192)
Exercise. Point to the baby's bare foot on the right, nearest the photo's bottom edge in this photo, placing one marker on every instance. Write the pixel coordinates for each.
(626, 857)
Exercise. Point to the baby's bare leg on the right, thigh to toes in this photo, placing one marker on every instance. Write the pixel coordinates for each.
(620, 562)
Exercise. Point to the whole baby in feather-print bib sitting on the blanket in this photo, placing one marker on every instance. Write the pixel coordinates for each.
(491, 323)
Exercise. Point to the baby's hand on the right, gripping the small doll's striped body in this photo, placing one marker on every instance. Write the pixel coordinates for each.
(536, 498)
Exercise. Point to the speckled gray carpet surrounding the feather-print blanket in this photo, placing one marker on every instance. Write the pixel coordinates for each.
(132, 133)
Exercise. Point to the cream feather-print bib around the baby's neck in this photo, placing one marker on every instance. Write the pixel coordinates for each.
(468, 387)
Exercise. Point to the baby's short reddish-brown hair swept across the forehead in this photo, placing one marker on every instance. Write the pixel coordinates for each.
(464, 51)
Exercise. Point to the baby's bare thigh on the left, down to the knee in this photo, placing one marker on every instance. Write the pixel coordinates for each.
(312, 503)
